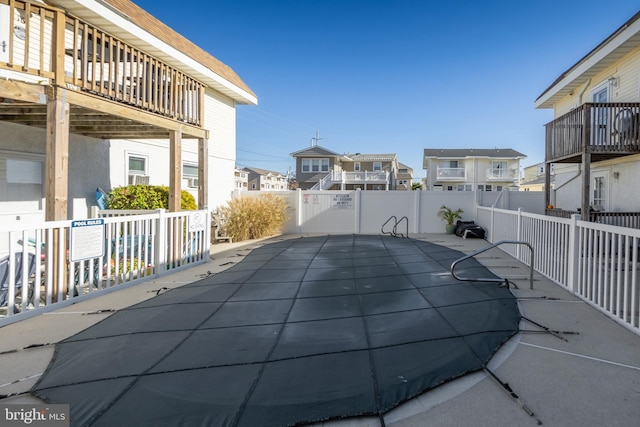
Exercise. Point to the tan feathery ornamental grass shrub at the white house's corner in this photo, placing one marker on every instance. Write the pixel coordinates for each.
(254, 217)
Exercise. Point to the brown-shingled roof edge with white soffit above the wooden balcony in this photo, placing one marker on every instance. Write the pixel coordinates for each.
(126, 13)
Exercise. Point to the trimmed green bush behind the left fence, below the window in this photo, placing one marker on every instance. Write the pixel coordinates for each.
(147, 197)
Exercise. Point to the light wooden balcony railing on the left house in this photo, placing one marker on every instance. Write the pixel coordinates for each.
(61, 49)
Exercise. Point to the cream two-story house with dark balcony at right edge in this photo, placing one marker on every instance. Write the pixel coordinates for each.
(594, 139)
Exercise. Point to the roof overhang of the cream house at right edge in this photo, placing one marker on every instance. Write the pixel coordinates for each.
(619, 43)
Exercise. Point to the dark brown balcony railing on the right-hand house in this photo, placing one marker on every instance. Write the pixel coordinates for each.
(606, 130)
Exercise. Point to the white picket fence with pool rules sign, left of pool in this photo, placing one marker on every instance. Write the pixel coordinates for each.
(50, 264)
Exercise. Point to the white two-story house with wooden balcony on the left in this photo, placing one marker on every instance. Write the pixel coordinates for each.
(102, 94)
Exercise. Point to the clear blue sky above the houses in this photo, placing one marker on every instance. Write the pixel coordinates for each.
(393, 76)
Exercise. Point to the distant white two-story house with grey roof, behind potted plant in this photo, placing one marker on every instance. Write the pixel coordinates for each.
(472, 169)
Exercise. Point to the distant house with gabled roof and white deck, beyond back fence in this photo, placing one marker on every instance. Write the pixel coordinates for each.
(319, 168)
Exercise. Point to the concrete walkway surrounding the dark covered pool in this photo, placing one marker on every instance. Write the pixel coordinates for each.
(587, 377)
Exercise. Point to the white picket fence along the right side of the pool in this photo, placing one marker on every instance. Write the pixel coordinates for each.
(597, 262)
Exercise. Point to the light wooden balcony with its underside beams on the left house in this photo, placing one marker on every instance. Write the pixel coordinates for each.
(115, 89)
